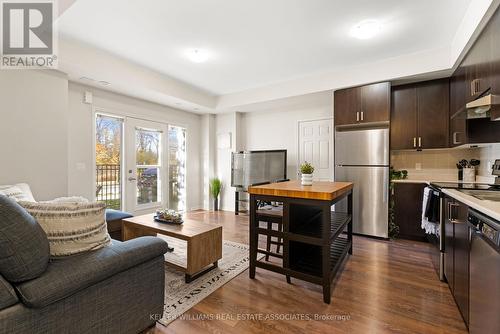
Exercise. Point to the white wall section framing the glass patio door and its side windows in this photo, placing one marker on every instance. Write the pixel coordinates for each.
(80, 168)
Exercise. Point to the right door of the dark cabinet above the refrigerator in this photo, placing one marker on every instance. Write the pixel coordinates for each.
(375, 102)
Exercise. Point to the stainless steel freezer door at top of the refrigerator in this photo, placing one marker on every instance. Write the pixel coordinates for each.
(362, 147)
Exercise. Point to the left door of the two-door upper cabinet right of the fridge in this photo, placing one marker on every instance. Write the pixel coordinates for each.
(404, 118)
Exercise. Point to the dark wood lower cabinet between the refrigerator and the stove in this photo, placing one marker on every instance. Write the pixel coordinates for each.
(408, 210)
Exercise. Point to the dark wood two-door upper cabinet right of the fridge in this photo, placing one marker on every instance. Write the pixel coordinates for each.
(420, 115)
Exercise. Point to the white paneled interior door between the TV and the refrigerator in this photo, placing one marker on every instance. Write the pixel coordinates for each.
(316, 147)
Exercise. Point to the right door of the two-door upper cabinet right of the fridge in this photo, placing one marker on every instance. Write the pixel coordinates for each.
(433, 113)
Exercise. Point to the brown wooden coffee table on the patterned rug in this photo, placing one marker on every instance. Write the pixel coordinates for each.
(204, 241)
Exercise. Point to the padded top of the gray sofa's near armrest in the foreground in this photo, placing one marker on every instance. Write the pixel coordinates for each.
(67, 276)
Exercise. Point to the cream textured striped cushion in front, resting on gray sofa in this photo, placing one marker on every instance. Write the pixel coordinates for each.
(71, 227)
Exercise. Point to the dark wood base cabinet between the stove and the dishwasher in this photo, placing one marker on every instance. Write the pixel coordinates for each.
(457, 248)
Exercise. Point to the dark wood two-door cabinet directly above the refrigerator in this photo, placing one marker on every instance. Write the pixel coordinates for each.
(364, 104)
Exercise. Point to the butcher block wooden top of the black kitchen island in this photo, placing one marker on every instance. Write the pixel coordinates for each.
(320, 190)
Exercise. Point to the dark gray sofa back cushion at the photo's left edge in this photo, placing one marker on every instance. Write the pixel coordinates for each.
(24, 247)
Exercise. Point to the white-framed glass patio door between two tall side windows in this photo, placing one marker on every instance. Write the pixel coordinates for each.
(146, 165)
